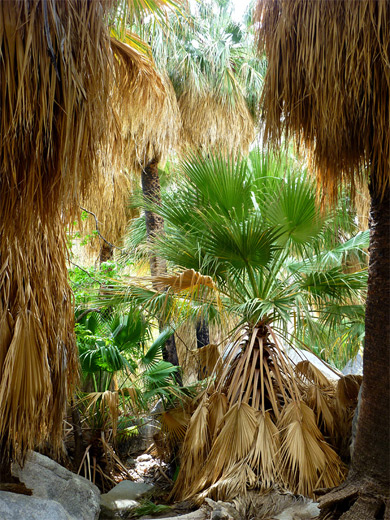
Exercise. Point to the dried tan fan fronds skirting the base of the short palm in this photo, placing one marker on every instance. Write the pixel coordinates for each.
(260, 431)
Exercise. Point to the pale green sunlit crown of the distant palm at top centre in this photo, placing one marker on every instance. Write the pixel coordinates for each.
(208, 52)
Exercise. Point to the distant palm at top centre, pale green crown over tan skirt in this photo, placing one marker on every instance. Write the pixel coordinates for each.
(215, 74)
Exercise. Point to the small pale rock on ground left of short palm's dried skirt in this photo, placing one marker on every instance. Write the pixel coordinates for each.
(122, 498)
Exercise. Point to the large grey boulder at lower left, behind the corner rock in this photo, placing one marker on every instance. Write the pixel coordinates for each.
(79, 498)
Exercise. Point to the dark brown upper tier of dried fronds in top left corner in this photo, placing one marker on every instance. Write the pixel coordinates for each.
(54, 70)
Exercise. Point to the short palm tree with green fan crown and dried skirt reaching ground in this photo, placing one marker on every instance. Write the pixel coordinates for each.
(255, 233)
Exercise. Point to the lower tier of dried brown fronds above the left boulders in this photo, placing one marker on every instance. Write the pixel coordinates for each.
(37, 353)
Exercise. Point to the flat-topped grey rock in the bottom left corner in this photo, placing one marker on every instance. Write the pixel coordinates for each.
(23, 507)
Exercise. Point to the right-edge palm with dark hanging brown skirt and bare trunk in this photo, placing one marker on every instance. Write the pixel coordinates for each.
(328, 84)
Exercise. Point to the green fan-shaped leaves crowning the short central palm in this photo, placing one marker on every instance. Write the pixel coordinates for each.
(255, 227)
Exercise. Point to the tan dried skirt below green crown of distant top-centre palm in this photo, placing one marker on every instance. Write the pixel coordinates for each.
(209, 123)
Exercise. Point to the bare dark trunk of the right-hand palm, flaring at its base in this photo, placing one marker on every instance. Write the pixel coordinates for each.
(368, 483)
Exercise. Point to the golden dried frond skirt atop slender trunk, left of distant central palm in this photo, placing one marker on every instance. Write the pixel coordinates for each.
(146, 105)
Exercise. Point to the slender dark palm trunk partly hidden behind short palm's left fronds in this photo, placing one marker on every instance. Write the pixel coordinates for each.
(154, 226)
